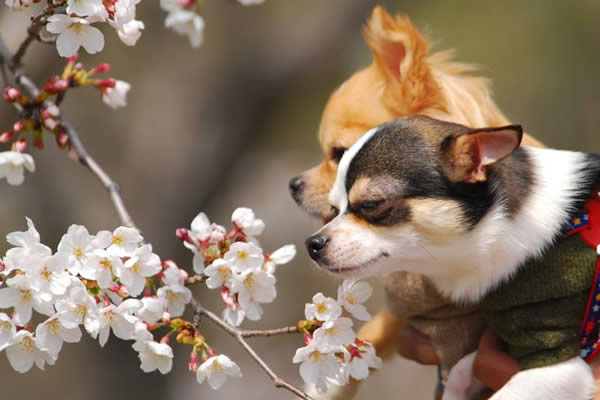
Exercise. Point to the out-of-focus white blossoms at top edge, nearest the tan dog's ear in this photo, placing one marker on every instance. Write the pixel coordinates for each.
(184, 18)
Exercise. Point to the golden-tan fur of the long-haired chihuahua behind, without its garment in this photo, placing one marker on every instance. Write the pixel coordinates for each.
(404, 78)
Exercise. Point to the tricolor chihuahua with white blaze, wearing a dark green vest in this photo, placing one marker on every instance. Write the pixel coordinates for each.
(484, 219)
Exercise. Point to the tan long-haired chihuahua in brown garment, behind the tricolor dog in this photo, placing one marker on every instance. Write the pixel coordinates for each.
(404, 78)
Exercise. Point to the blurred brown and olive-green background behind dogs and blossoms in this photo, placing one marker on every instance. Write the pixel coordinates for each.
(229, 124)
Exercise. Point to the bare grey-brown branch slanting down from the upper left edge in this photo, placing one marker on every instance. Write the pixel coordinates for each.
(83, 157)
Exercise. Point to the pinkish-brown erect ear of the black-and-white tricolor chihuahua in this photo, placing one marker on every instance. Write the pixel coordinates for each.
(466, 156)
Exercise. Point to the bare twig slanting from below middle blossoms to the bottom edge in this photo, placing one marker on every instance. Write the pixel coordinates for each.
(238, 336)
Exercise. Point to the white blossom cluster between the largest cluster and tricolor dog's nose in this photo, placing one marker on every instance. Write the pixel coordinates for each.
(234, 263)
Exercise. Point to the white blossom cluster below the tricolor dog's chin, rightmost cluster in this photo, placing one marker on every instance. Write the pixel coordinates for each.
(332, 353)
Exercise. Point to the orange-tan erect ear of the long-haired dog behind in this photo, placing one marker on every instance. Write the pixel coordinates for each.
(400, 52)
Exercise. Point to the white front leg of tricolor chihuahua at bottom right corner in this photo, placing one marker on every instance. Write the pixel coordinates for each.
(571, 379)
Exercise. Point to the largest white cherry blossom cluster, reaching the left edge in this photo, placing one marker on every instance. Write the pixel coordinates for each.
(91, 280)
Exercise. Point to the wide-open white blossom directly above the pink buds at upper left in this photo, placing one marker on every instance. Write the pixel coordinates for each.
(74, 32)
